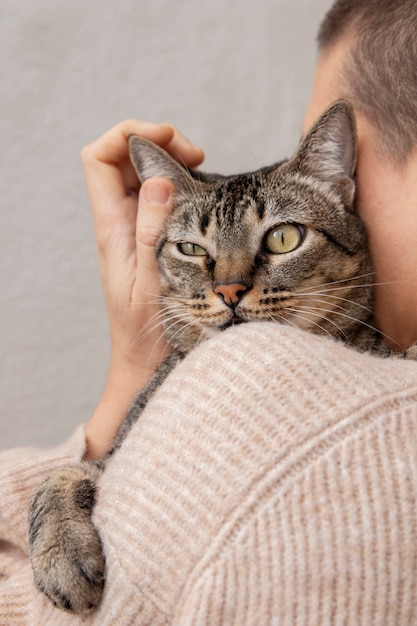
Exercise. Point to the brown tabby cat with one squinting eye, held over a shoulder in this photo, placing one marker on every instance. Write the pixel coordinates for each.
(284, 244)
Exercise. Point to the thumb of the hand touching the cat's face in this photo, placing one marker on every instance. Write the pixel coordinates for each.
(156, 200)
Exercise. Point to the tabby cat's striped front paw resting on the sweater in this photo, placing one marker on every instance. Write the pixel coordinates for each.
(65, 549)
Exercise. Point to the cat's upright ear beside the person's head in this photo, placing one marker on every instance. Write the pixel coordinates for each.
(328, 150)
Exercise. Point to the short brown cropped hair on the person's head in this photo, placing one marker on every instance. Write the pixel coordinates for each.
(380, 71)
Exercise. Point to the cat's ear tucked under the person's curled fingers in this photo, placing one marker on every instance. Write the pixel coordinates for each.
(150, 160)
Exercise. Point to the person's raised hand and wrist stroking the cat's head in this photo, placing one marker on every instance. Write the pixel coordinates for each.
(127, 224)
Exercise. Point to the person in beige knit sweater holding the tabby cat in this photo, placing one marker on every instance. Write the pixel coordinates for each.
(279, 486)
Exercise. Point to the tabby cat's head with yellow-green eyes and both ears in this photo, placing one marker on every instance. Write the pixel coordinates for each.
(283, 243)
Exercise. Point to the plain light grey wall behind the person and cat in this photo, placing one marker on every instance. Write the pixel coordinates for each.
(233, 75)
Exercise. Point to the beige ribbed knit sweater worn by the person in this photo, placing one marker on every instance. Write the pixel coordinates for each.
(272, 480)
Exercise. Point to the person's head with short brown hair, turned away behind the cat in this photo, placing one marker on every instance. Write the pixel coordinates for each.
(368, 55)
